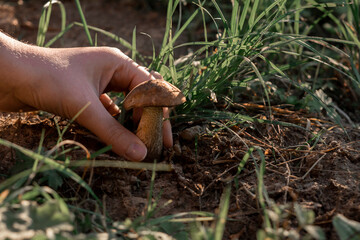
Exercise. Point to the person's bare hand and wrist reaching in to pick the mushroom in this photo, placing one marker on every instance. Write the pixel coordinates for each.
(62, 81)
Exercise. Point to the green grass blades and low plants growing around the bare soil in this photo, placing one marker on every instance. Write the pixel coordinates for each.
(260, 46)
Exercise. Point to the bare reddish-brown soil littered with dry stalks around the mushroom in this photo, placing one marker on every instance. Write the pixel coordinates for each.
(317, 166)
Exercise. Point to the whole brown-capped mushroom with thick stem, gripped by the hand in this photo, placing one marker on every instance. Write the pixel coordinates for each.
(152, 96)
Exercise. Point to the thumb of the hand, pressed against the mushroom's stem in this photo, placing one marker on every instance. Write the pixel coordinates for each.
(98, 120)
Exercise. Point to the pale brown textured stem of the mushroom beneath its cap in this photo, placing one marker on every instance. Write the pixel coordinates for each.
(150, 130)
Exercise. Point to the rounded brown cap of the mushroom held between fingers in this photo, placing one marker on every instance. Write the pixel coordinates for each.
(154, 93)
